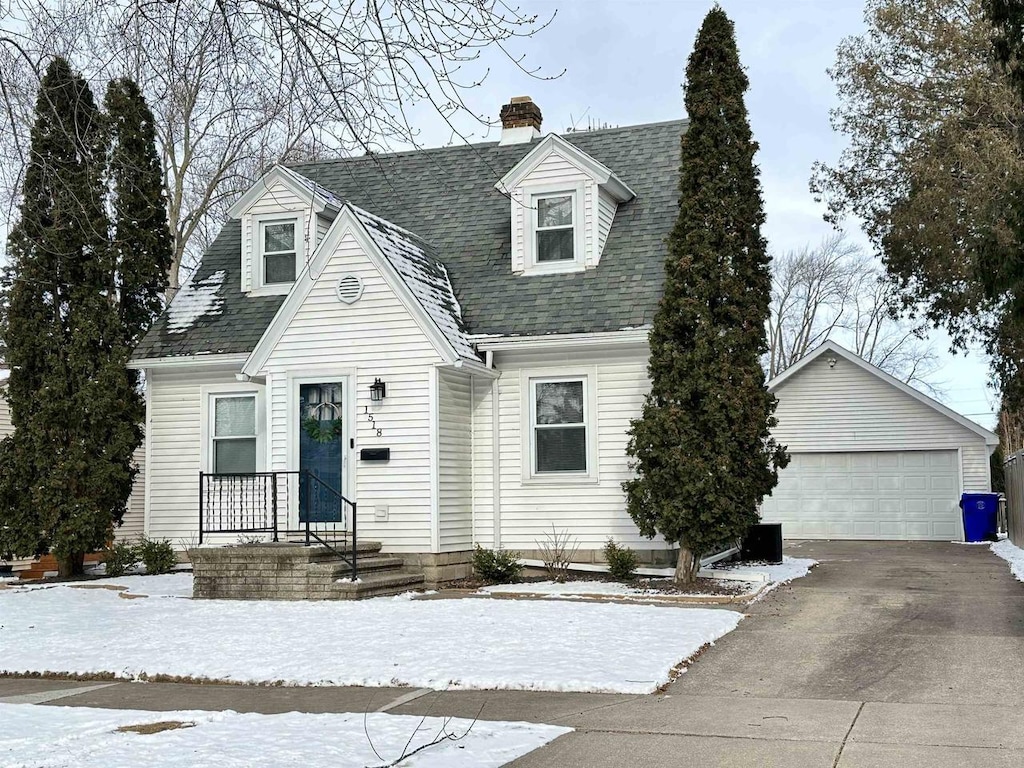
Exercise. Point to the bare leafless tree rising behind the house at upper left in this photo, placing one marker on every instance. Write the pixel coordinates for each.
(236, 87)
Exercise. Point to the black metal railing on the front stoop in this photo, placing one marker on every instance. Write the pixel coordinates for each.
(259, 503)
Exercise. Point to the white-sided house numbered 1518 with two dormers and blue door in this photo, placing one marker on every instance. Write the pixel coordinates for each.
(452, 340)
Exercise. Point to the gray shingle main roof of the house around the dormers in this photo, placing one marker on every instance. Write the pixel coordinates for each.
(447, 198)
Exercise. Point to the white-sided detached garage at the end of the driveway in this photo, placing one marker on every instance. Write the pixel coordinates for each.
(872, 457)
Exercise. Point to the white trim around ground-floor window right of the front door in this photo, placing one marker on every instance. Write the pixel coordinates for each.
(528, 381)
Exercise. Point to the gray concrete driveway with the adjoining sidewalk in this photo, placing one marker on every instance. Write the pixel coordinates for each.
(887, 655)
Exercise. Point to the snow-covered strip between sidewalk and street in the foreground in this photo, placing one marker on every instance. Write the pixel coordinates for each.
(72, 737)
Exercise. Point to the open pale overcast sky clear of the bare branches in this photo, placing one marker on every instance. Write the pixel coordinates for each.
(624, 63)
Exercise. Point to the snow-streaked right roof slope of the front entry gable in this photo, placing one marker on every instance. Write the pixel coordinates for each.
(426, 277)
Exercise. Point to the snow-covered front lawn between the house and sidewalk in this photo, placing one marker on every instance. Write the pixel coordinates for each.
(442, 645)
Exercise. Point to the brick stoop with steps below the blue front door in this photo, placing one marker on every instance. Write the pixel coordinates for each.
(293, 572)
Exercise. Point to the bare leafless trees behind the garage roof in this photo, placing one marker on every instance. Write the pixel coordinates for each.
(836, 291)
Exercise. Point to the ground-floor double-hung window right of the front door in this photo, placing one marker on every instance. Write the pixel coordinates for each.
(559, 425)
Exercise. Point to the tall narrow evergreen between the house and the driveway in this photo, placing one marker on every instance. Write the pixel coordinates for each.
(702, 449)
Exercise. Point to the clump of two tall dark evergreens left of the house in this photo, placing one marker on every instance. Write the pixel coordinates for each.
(77, 296)
